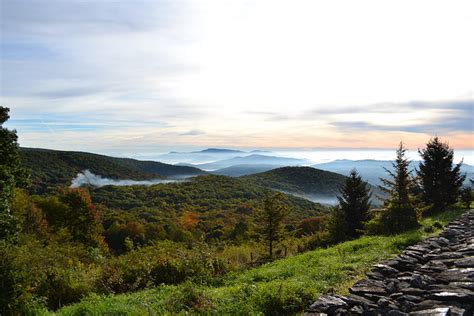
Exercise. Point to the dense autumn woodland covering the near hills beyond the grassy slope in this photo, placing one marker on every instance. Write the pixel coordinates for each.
(59, 244)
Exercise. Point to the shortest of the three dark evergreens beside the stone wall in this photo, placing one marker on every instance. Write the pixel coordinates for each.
(354, 201)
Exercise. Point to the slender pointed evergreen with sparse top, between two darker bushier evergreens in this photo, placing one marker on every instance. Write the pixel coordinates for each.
(399, 213)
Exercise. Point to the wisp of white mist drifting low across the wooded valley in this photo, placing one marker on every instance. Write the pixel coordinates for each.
(88, 178)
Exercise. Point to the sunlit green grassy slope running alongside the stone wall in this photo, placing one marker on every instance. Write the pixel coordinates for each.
(286, 285)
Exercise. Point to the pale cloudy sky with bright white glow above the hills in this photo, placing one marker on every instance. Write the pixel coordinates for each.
(116, 76)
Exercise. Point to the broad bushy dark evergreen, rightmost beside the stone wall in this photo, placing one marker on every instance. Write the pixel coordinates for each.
(441, 181)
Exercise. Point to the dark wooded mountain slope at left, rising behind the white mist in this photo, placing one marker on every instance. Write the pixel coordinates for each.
(53, 167)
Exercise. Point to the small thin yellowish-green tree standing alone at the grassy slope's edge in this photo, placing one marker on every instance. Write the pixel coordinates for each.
(271, 219)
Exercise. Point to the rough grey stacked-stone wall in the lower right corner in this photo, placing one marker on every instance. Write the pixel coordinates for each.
(434, 277)
